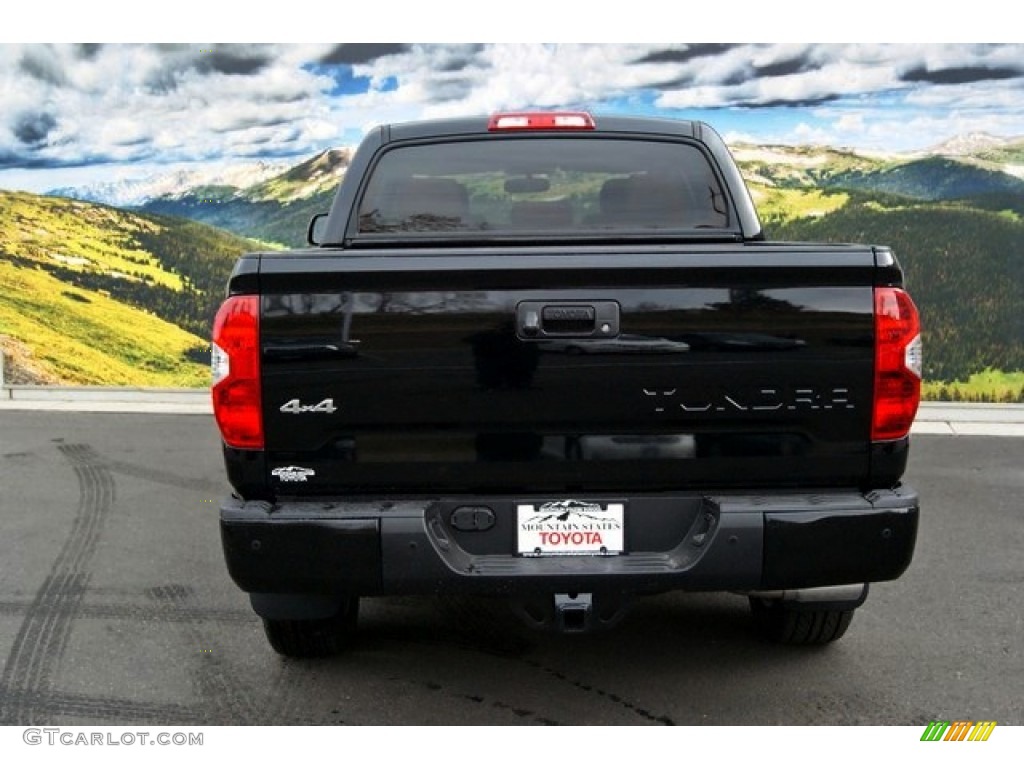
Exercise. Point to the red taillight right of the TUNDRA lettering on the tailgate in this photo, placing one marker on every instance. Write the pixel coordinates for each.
(898, 364)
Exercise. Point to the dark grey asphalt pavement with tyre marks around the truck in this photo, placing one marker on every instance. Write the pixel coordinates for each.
(116, 609)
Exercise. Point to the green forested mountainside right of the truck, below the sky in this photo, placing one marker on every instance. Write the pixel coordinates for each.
(956, 224)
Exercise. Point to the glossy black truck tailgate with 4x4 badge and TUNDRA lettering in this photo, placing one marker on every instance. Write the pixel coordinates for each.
(491, 370)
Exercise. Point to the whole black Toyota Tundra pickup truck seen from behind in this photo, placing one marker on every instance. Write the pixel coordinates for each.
(552, 358)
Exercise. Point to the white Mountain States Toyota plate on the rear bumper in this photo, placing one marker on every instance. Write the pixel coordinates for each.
(570, 528)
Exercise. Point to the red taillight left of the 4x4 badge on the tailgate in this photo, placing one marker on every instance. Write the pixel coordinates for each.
(235, 364)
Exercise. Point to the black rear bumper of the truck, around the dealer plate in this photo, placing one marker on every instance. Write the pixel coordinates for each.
(718, 542)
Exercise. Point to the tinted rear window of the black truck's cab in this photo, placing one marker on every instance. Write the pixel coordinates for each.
(520, 185)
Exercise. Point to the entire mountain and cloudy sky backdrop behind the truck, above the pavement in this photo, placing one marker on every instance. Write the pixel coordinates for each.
(132, 176)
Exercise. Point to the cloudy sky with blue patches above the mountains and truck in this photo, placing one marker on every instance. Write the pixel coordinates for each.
(72, 114)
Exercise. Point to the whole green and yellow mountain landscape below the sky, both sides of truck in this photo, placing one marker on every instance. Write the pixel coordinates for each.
(955, 217)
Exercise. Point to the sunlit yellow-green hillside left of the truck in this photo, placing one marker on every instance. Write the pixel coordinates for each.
(94, 295)
